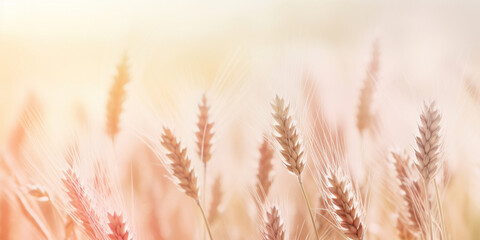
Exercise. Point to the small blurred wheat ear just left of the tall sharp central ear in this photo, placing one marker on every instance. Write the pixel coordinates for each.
(264, 168)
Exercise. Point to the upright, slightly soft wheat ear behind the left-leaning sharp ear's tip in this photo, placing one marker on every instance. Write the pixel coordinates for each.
(204, 134)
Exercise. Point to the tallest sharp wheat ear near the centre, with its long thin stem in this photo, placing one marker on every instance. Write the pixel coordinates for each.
(287, 137)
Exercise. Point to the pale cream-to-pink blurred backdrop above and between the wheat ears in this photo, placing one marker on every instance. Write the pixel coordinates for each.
(62, 55)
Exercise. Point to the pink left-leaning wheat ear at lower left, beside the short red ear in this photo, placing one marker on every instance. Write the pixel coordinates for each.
(84, 212)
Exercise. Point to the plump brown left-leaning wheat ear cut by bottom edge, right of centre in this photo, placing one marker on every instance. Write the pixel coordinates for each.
(346, 207)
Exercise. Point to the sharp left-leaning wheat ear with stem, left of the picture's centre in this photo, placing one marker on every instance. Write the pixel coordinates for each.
(180, 169)
